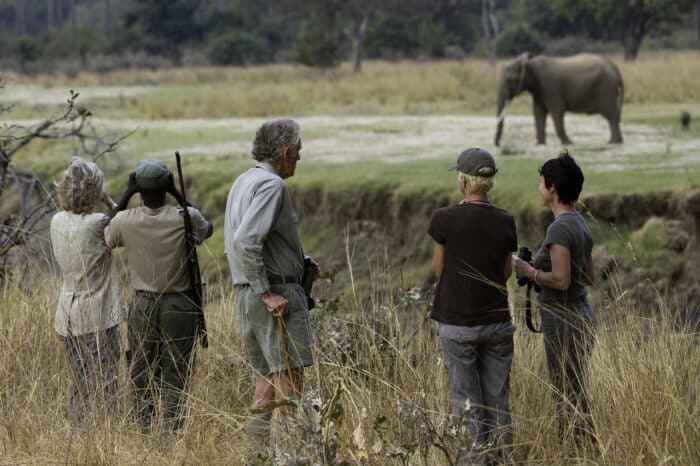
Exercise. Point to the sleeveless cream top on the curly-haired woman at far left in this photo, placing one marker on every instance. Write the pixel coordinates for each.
(90, 298)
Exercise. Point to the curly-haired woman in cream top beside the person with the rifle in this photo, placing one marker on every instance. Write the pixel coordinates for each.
(89, 305)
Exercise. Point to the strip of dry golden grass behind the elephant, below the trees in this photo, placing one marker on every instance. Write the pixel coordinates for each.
(404, 87)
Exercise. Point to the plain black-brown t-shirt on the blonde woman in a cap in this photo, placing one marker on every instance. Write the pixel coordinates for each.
(477, 239)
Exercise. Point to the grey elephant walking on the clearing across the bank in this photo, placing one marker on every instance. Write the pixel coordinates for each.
(583, 83)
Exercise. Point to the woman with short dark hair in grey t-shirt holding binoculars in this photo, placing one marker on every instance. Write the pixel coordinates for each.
(563, 268)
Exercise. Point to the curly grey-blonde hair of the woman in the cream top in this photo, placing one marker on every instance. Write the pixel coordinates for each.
(80, 186)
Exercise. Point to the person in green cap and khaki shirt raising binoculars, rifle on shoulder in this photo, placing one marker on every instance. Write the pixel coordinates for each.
(163, 319)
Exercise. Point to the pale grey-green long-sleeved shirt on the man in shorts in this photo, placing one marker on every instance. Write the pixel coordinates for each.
(260, 234)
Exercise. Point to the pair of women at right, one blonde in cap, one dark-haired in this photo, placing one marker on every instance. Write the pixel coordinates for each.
(473, 259)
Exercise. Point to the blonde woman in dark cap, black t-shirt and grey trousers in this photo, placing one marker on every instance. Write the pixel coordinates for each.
(472, 262)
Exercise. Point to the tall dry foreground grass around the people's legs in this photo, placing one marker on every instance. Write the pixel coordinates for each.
(377, 395)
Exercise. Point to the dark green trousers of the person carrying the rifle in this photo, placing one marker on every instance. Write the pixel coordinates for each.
(162, 334)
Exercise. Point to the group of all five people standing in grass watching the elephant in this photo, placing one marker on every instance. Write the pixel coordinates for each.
(474, 242)
